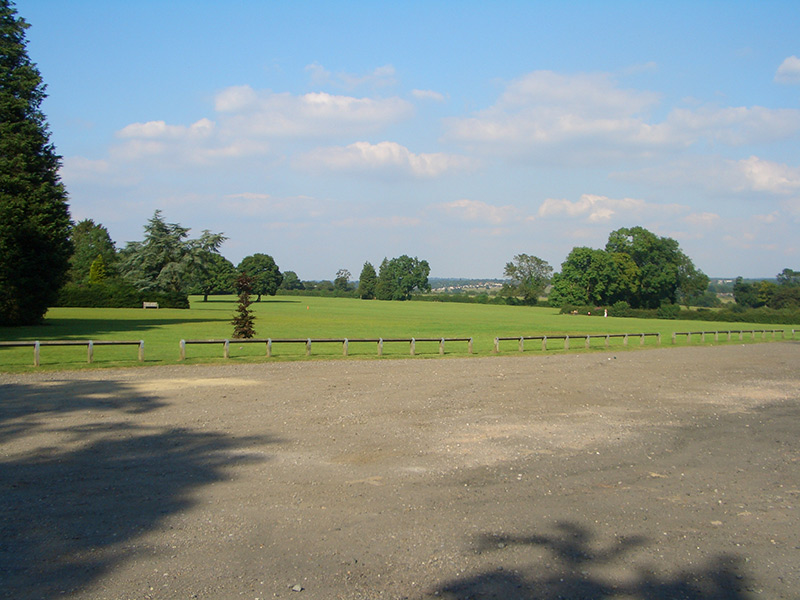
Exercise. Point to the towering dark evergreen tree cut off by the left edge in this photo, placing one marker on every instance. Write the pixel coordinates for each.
(34, 217)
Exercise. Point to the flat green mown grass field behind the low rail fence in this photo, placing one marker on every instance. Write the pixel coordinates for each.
(315, 317)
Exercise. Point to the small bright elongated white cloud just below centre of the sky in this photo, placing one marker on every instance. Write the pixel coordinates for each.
(384, 157)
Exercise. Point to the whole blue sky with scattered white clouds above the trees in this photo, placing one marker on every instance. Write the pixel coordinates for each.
(328, 134)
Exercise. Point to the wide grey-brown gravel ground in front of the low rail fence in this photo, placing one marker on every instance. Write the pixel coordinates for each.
(671, 473)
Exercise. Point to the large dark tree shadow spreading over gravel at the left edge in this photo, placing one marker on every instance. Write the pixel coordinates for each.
(73, 507)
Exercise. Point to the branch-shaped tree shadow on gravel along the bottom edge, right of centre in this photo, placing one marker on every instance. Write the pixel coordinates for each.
(568, 574)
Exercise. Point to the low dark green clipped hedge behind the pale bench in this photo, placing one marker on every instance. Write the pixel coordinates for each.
(116, 295)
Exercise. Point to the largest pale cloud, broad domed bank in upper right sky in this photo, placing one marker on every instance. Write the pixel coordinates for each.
(587, 119)
